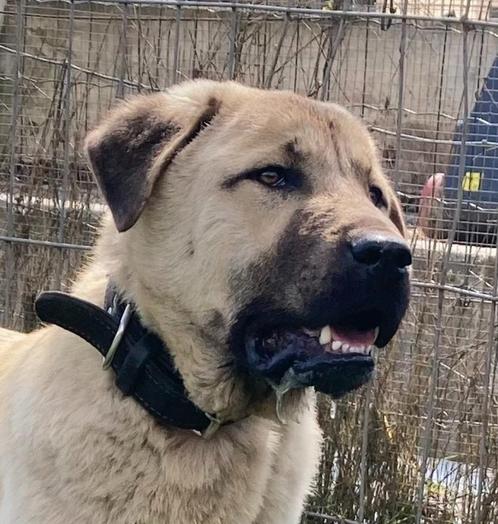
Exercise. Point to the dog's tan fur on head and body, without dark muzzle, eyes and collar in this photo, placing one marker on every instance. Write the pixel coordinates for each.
(72, 448)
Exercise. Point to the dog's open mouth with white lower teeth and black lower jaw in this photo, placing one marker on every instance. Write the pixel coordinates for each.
(335, 358)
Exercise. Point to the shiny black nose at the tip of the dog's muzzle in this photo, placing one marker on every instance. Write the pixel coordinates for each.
(376, 249)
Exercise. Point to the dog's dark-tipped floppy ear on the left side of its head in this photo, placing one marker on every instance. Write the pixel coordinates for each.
(135, 145)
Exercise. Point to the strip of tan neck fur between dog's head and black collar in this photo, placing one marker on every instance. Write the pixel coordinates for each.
(203, 361)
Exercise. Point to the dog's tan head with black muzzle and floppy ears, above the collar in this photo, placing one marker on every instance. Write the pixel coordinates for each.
(259, 237)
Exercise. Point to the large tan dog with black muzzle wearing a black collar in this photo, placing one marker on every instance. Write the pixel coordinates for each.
(257, 241)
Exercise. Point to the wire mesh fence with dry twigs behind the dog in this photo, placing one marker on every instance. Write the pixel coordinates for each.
(419, 444)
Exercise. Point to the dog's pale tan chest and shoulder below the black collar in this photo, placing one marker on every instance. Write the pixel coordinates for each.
(99, 459)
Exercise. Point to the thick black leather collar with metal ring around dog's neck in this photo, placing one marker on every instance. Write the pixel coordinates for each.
(139, 358)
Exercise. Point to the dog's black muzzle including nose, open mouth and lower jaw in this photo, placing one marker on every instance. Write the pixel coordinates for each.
(329, 344)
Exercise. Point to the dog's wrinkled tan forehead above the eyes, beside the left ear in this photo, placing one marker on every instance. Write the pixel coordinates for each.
(288, 128)
